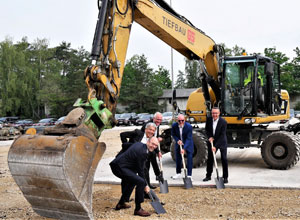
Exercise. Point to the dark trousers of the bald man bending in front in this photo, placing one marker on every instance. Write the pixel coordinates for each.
(129, 180)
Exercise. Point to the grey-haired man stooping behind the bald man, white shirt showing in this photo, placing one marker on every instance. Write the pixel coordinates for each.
(130, 137)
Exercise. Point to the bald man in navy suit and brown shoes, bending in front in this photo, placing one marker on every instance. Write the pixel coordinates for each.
(126, 166)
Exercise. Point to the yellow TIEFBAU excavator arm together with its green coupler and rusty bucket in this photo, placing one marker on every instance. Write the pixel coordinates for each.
(55, 170)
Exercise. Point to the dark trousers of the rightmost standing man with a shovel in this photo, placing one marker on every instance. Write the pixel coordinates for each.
(210, 162)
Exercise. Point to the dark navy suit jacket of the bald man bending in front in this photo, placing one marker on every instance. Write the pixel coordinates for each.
(133, 159)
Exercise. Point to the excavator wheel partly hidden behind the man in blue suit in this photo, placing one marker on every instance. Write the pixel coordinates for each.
(200, 150)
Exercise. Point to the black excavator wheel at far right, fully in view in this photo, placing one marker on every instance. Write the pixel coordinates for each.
(281, 150)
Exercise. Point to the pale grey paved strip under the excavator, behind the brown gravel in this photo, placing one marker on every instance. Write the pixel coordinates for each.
(246, 170)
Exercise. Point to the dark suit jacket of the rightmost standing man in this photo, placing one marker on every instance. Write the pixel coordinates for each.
(220, 138)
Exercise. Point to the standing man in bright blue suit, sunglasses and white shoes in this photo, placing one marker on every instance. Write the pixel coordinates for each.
(182, 132)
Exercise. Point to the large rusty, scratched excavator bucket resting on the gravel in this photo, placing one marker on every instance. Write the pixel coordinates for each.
(56, 173)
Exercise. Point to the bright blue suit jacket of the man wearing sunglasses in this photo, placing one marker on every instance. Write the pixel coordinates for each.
(187, 136)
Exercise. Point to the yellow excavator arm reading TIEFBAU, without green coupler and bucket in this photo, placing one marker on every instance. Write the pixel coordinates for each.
(115, 19)
